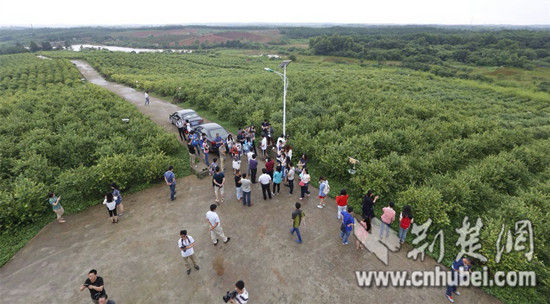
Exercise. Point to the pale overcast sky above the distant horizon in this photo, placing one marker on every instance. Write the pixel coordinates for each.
(123, 12)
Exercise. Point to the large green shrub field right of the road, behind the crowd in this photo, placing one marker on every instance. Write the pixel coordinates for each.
(449, 147)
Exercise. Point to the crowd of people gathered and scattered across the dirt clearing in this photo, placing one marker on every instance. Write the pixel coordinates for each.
(278, 169)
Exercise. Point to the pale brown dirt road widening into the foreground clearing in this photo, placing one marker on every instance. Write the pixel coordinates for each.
(140, 262)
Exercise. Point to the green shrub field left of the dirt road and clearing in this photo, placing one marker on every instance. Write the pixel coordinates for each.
(59, 134)
